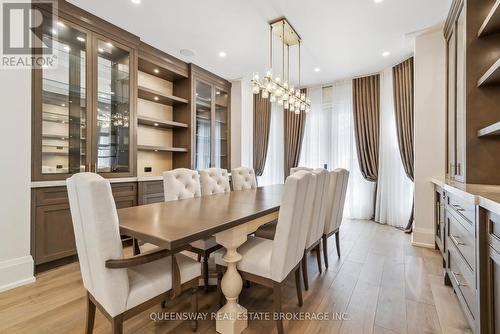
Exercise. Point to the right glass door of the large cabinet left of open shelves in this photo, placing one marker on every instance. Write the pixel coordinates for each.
(113, 108)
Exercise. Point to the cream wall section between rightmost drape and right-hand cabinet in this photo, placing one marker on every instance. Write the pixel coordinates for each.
(430, 129)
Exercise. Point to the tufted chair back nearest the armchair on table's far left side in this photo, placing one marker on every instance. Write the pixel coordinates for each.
(181, 183)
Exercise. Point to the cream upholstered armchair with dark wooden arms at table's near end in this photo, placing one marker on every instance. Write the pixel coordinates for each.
(120, 287)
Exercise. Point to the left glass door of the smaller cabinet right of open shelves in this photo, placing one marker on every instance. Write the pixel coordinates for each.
(203, 110)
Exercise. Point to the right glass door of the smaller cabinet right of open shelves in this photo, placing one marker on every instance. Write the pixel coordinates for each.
(221, 129)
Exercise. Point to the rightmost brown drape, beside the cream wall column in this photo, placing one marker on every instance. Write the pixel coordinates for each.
(402, 75)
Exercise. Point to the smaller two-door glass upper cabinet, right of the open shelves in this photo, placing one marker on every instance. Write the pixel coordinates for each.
(211, 110)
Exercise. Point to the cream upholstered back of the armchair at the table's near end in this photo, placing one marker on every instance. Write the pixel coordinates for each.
(97, 236)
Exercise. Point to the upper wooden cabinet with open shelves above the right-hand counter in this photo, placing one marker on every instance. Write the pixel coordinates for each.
(472, 35)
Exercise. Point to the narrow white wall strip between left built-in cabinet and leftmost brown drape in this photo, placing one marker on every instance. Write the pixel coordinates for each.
(241, 123)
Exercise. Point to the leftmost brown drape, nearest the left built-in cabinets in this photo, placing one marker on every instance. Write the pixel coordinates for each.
(261, 127)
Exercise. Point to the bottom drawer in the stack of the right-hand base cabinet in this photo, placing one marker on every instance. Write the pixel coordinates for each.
(463, 280)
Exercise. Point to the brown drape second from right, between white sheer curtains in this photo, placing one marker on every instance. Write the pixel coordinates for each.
(366, 108)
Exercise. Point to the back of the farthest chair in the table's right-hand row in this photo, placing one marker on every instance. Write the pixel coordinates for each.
(339, 178)
